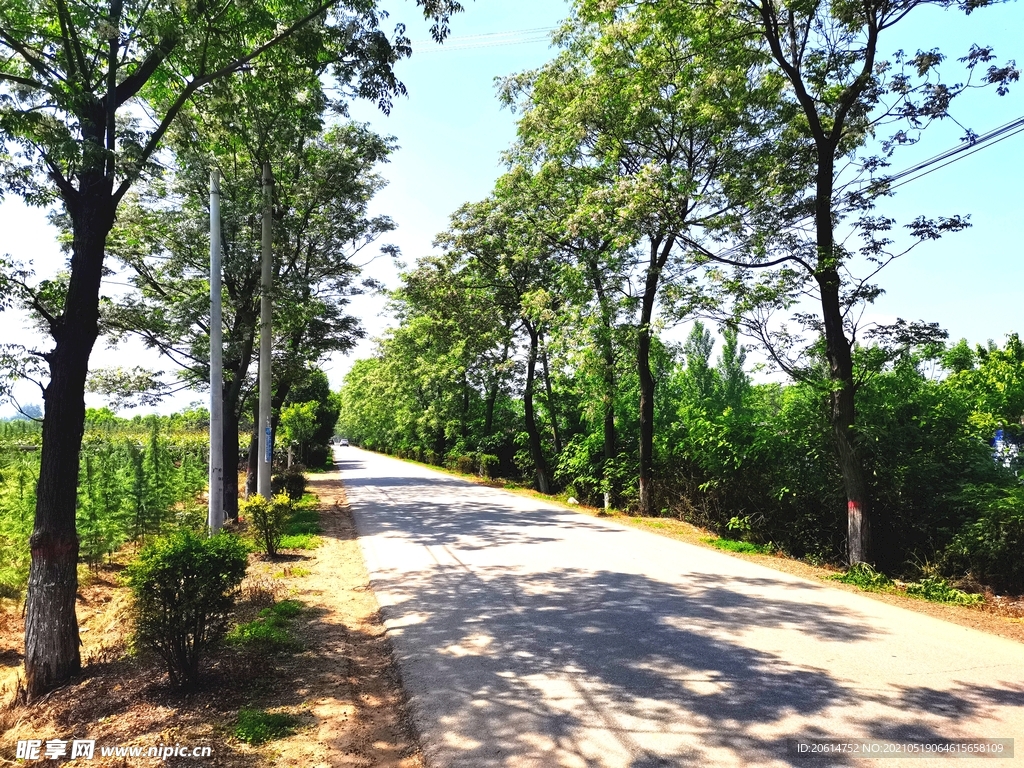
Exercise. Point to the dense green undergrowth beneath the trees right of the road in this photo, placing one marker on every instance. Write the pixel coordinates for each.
(752, 462)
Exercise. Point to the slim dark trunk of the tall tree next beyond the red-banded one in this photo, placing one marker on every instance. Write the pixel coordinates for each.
(660, 250)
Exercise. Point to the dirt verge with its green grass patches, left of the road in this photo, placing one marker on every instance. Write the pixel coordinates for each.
(303, 665)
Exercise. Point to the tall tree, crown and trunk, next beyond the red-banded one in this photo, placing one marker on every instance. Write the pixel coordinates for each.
(662, 105)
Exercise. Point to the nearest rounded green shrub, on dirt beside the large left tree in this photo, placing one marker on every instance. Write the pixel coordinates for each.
(184, 588)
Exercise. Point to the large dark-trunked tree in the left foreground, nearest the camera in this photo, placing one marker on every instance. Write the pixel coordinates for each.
(73, 77)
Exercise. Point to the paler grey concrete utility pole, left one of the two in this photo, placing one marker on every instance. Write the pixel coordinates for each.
(216, 515)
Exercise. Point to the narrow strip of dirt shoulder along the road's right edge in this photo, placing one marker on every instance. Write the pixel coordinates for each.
(998, 616)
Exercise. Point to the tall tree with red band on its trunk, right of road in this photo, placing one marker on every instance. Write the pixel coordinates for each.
(843, 94)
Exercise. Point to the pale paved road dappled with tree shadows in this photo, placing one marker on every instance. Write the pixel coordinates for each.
(529, 635)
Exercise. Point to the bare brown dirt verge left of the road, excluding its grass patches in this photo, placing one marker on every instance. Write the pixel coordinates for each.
(344, 686)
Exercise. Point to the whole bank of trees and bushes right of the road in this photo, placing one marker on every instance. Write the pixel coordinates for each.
(588, 328)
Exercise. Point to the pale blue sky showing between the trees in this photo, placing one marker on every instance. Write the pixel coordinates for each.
(452, 132)
